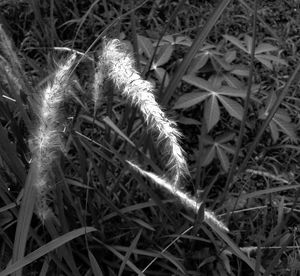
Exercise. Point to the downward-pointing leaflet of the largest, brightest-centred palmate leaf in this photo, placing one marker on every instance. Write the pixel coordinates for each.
(211, 112)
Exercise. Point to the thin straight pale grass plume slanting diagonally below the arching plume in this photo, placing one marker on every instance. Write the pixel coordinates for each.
(188, 201)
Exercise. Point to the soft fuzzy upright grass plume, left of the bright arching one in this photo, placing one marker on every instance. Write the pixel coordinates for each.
(47, 141)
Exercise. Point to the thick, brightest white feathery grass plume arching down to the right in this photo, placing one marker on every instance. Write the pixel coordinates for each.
(119, 66)
